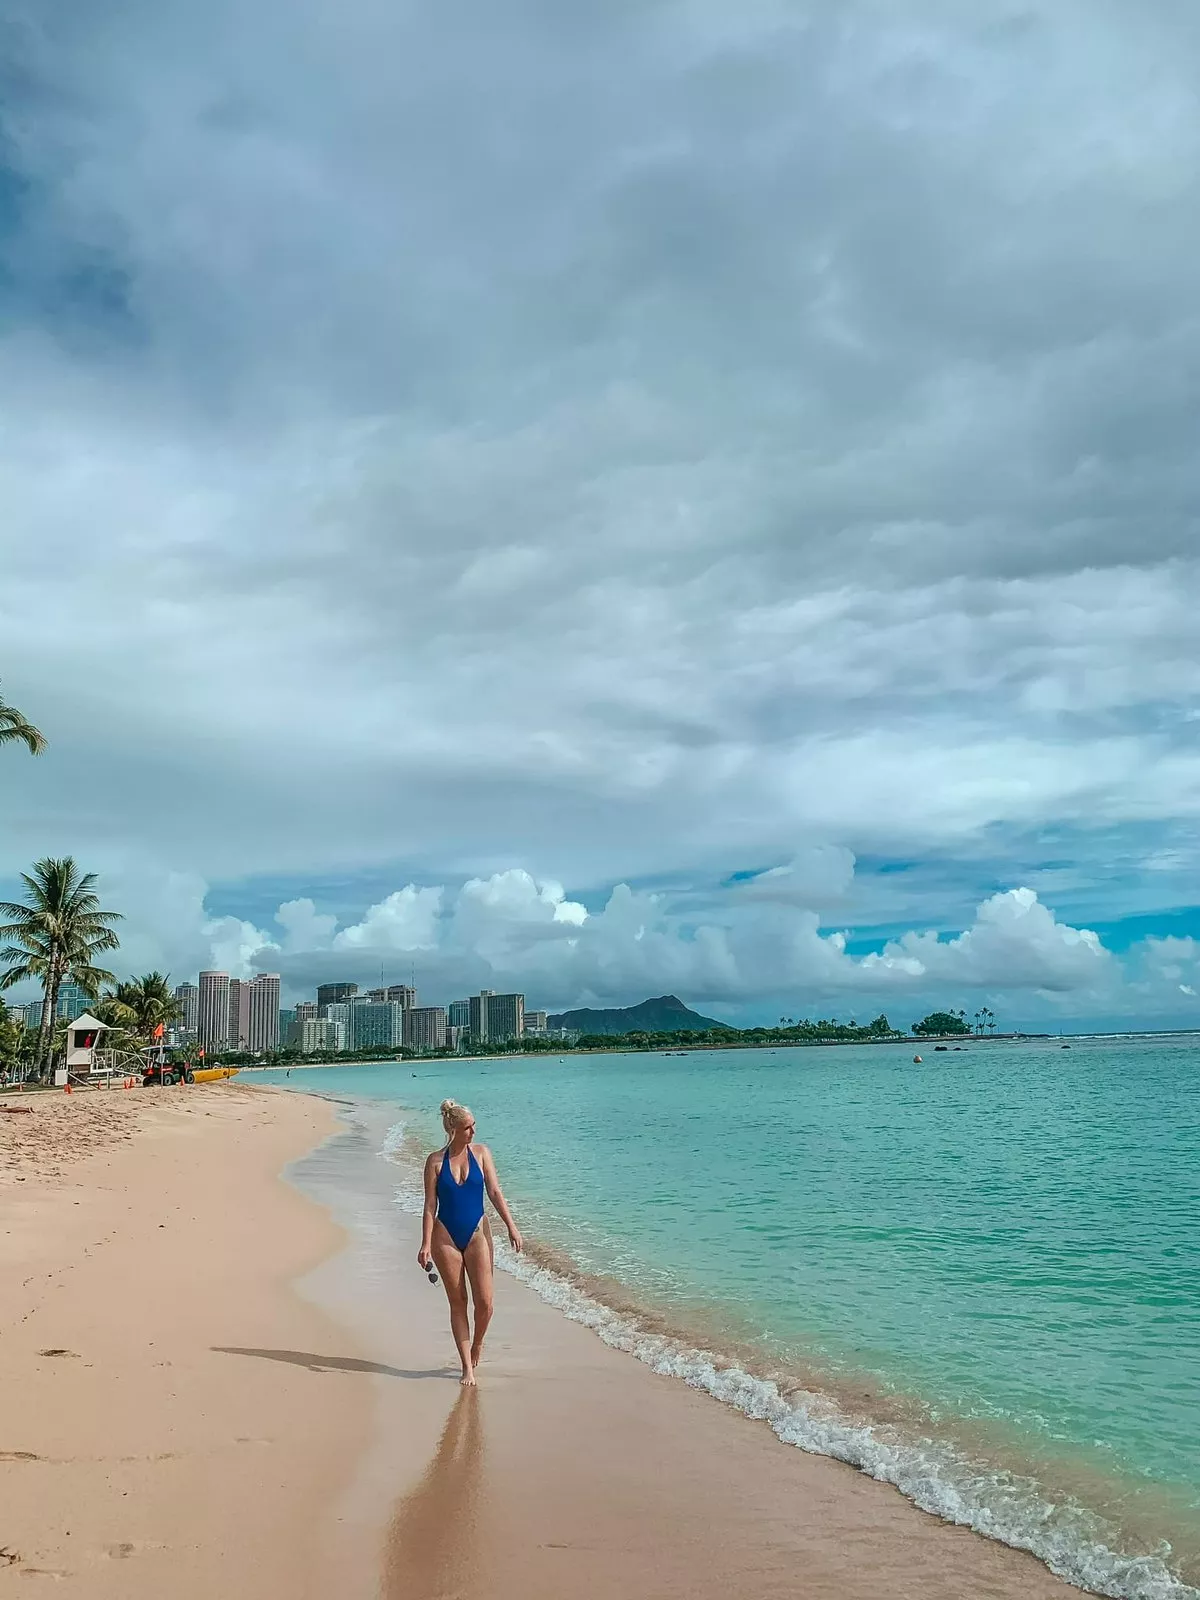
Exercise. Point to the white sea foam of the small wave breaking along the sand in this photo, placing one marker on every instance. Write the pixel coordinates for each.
(1002, 1506)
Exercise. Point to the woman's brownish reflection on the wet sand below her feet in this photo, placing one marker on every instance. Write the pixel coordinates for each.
(436, 1542)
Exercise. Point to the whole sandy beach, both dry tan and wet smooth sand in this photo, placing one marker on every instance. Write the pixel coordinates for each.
(204, 1430)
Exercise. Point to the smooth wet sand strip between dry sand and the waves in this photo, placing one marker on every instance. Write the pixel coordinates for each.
(575, 1470)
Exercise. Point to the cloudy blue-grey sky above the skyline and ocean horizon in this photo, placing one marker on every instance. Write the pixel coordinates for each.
(654, 497)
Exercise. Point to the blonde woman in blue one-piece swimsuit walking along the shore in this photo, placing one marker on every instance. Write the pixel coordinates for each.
(455, 1233)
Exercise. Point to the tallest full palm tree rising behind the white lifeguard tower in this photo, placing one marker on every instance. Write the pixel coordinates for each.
(57, 934)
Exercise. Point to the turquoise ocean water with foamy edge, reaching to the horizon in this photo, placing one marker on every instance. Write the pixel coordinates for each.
(977, 1278)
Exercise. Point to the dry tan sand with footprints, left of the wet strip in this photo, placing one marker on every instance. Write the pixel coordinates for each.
(142, 1236)
